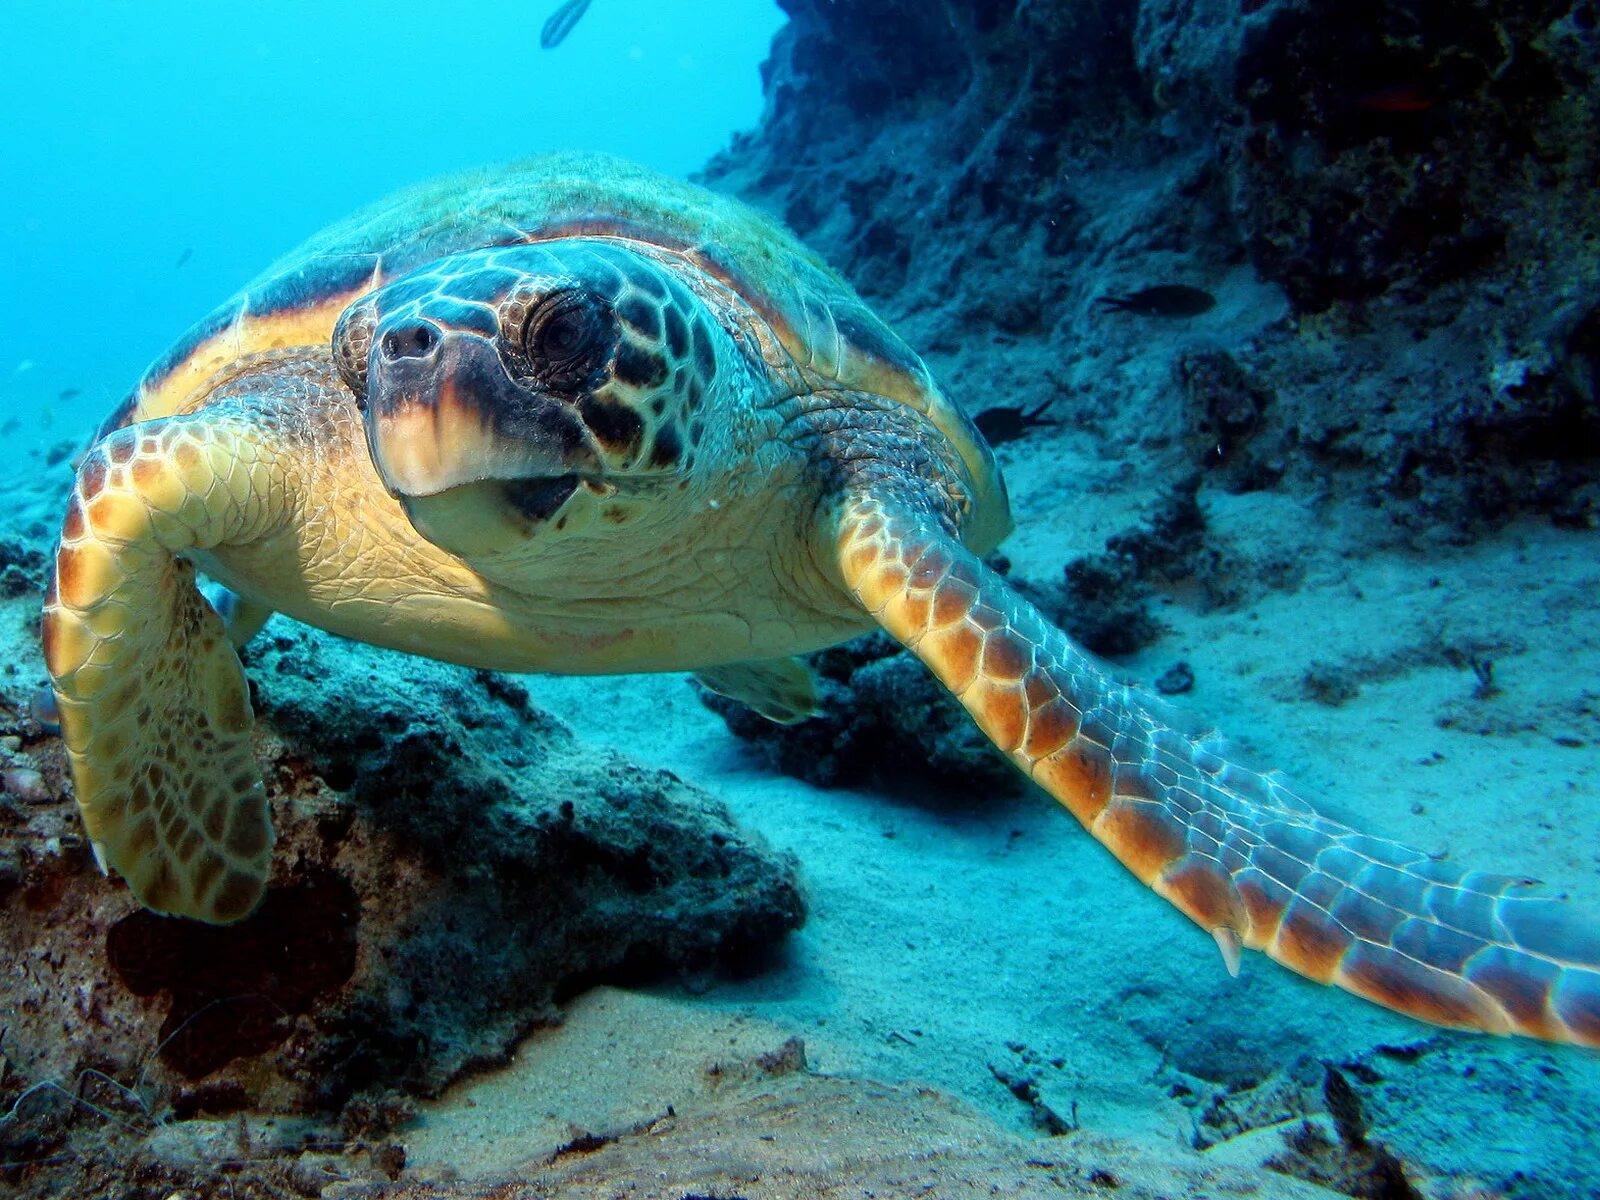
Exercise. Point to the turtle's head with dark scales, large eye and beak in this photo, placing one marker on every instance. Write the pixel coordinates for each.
(532, 388)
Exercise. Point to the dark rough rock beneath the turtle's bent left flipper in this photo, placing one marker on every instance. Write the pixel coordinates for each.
(450, 865)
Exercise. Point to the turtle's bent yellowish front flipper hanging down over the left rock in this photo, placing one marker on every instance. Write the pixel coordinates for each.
(154, 706)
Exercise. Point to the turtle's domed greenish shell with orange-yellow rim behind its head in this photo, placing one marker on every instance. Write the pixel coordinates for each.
(817, 318)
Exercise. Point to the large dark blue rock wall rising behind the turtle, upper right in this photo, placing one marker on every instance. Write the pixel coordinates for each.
(1417, 177)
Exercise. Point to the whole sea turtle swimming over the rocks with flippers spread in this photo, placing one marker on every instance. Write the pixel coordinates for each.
(574, 417)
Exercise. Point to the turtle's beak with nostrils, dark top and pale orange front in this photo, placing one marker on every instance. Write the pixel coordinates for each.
(473, 457)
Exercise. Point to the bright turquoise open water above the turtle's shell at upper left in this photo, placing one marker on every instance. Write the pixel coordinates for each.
(159, 153)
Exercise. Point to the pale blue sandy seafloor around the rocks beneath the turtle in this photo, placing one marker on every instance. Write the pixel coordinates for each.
(951, 943)
